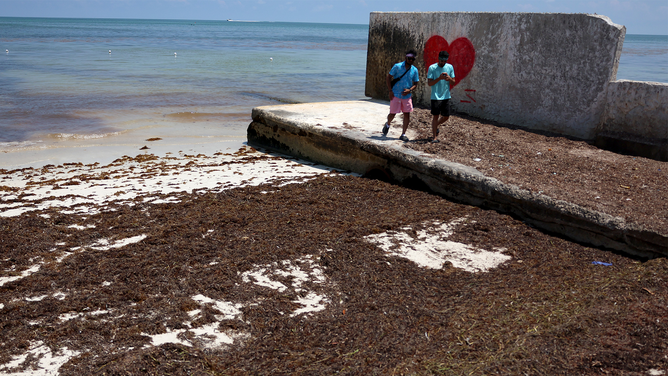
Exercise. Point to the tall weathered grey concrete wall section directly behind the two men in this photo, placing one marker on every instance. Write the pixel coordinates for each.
(542, 71)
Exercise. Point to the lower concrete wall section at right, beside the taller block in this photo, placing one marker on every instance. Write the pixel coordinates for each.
(636, 119)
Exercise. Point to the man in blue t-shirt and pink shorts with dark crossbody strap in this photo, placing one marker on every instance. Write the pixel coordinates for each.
(401, 81)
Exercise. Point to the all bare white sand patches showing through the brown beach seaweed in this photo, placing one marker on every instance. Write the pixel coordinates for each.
(81, 191)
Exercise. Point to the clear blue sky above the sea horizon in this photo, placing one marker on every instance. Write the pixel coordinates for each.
(639, 16)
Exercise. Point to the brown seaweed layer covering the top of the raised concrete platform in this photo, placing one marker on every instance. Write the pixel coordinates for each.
(630, 187)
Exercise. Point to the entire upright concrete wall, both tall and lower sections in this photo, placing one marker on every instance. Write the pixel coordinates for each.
(543, 71)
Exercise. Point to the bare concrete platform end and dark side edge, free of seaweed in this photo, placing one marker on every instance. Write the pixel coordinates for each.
(347, 135)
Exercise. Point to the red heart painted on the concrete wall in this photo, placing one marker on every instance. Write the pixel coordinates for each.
(462, 55)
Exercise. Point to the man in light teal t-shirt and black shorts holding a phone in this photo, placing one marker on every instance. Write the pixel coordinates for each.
(439, 77)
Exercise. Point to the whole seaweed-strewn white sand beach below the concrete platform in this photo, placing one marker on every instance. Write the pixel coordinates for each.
(248, 262)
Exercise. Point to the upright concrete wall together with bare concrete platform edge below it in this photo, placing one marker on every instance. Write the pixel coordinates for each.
(547, 72)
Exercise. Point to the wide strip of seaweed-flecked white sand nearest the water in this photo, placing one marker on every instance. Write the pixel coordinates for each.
(87, 189)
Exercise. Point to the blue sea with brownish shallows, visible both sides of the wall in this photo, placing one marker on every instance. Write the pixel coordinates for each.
(75, 87)
